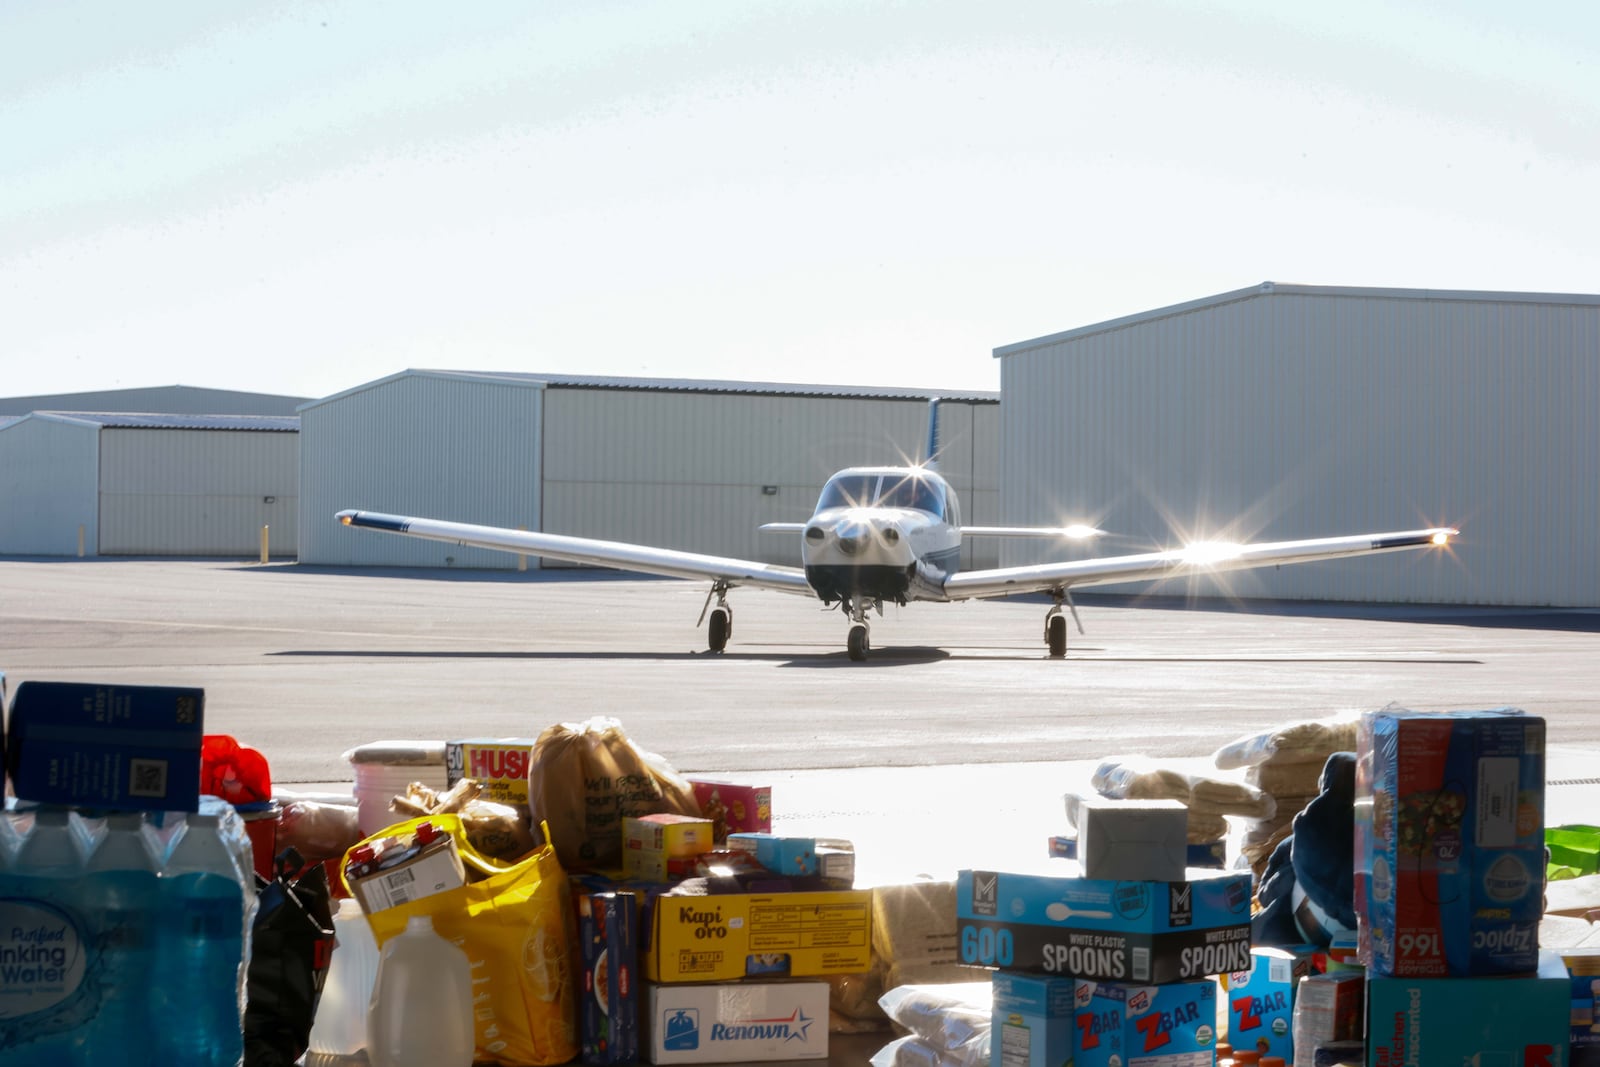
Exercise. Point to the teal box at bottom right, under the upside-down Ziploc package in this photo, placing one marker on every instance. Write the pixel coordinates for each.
(1484, 1021)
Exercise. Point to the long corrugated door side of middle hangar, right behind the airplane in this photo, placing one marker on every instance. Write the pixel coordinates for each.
(687, 471)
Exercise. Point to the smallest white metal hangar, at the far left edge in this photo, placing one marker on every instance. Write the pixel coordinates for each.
(119, 484)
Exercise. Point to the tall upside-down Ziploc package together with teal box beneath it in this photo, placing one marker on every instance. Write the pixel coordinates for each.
(1449, 890)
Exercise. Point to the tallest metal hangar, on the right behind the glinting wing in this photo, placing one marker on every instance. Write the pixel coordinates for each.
(1292, 412)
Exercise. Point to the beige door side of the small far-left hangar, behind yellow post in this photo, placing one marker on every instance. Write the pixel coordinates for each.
(180, 492)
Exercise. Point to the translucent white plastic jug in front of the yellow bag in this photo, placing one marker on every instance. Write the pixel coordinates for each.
(422, 1010)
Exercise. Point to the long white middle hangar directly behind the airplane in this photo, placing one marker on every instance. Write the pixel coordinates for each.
(673, 463)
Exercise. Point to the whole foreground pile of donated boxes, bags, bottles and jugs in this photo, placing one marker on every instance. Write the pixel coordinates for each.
(574, 898)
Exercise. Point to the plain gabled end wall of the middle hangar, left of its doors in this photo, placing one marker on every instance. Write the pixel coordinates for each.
(420, 444)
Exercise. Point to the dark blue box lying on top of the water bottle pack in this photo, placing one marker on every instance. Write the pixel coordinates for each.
(102, 746)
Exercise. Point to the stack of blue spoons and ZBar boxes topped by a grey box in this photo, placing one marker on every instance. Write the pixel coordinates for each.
(1111, 967)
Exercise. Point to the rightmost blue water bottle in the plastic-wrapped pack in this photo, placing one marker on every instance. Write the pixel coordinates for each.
(201, 977)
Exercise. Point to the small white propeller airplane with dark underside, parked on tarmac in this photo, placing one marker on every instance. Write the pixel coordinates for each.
(895, 535)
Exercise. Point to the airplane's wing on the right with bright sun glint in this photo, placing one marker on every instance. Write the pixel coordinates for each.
(1198, 559)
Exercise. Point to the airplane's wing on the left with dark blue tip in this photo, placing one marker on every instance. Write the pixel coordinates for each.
(615, 554)
